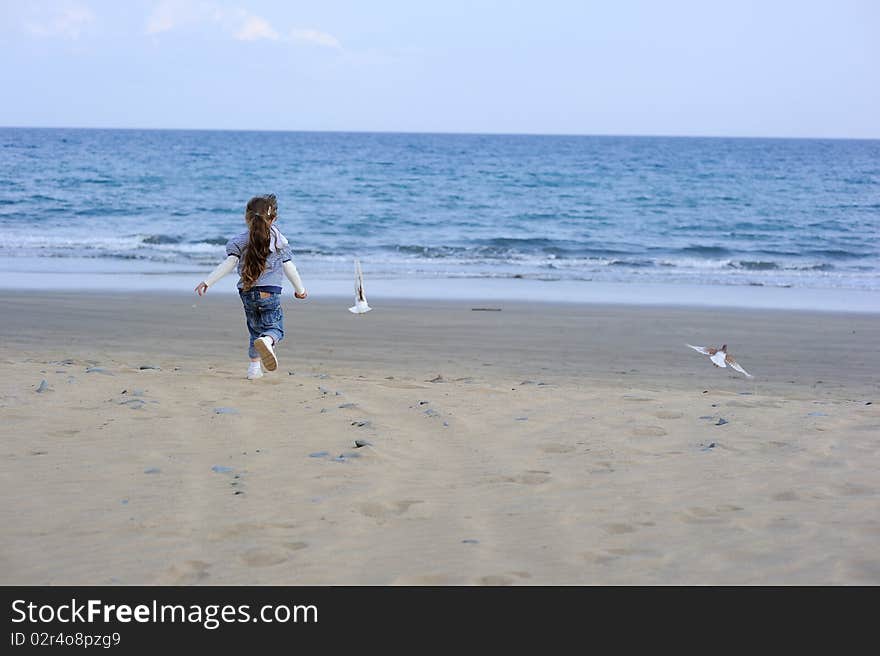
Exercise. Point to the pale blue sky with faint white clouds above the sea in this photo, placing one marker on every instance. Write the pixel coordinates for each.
(761, 68)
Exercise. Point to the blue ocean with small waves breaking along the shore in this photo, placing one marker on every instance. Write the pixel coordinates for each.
(579, 210)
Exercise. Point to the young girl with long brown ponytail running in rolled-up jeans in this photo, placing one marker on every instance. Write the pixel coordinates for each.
(261, 254)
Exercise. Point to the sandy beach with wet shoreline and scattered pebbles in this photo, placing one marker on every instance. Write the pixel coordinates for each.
(514, 443)
